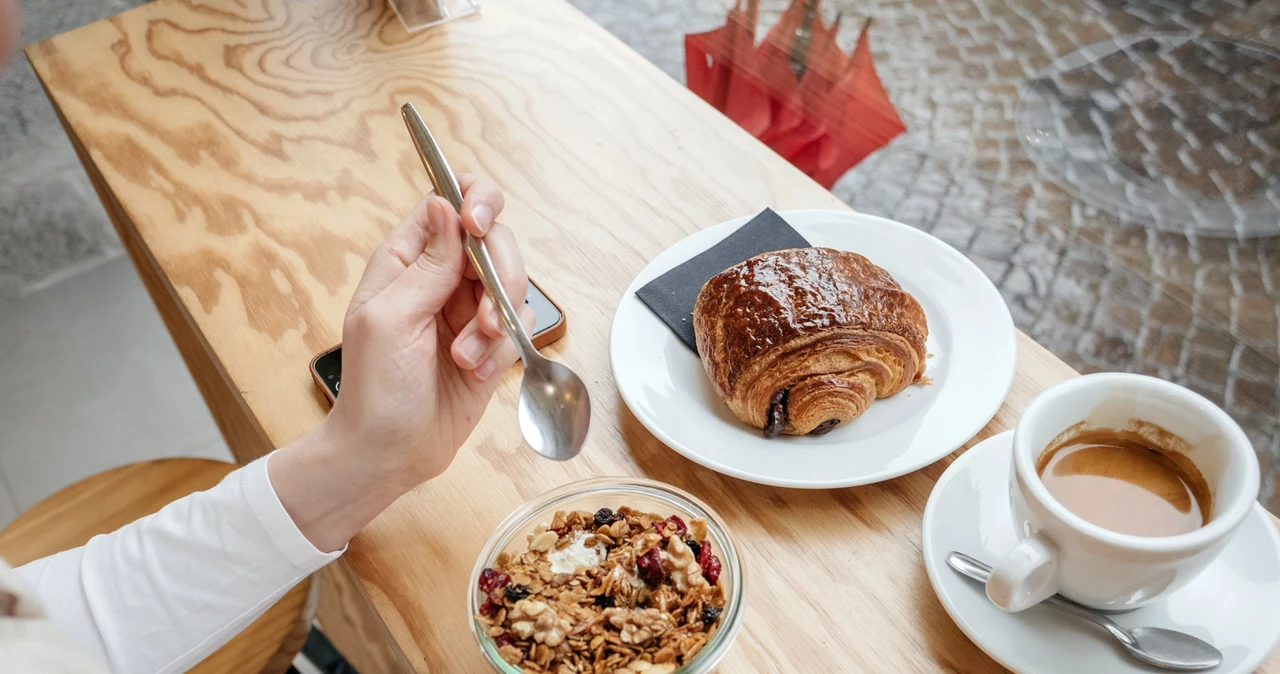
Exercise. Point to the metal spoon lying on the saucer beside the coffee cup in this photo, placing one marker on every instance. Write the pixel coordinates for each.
(1153, 645)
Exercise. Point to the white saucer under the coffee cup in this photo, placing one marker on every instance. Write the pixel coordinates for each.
(1235, 604)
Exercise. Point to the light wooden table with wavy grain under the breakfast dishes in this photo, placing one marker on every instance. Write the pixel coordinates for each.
(252, 155)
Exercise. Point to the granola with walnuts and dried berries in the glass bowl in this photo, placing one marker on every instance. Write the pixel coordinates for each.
(605, 593)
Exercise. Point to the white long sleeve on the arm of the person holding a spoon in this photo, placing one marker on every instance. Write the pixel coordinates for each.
(162, 594)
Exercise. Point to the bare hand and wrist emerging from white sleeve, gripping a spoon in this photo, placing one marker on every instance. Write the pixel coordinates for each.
(423, 352)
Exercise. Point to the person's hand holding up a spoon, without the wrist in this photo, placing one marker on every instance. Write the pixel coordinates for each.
(423, 345)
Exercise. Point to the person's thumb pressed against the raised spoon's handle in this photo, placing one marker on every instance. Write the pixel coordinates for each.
(433, 274)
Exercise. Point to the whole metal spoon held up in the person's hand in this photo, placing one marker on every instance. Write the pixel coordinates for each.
(555, 405)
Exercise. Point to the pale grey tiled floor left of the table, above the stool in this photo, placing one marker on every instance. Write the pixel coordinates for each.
(92, 382)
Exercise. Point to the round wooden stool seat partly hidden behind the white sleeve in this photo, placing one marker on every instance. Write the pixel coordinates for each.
(109, 501)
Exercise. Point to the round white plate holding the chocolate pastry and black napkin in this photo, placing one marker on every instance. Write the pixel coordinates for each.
(972, 343)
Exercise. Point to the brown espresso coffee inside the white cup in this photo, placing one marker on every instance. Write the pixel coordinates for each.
(1122, 482)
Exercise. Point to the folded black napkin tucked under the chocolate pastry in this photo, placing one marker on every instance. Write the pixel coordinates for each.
(673, 296)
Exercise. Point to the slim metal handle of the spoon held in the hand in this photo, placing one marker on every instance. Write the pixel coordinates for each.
(447, 186)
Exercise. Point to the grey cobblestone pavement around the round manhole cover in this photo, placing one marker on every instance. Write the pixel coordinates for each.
(1098, 291)
